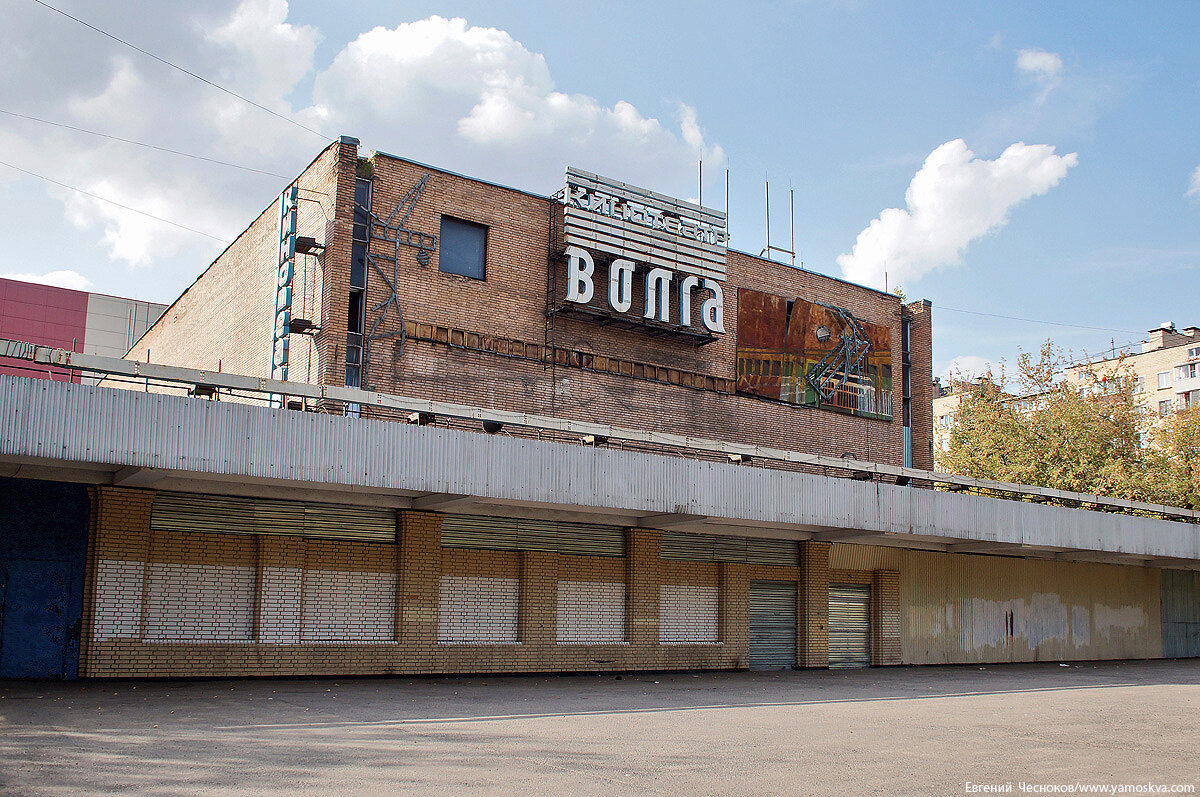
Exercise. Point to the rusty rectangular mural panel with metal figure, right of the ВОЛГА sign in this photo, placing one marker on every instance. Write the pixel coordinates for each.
(813, 355)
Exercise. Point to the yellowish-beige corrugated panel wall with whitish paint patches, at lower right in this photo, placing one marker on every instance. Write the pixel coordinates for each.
(987, 609)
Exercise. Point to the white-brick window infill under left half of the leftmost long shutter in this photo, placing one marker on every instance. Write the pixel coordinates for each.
(200, 603)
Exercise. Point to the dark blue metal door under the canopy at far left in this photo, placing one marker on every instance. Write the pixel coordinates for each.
(34, 636)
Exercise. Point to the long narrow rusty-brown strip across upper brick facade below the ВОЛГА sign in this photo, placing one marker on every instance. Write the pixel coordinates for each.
(568, 358)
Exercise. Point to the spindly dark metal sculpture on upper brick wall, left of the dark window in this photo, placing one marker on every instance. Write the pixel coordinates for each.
(398, 235)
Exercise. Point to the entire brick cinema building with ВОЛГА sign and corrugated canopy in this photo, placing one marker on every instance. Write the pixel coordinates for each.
(500, 432)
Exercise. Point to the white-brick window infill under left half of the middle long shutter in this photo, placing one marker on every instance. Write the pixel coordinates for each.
(479, 610)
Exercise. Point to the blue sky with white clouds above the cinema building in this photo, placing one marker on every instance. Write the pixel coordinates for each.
(1031, 169)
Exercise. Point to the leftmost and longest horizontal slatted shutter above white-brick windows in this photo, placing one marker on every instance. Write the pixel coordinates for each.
(178, 512)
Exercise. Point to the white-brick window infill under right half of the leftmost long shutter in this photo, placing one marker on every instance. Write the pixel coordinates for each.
(345, 607)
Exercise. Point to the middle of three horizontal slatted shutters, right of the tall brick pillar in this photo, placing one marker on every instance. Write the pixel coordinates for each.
(526, 535)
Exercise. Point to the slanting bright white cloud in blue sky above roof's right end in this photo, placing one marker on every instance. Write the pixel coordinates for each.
(953, 200)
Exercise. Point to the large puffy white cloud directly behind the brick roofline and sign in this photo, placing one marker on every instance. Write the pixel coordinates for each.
(478, 101)
